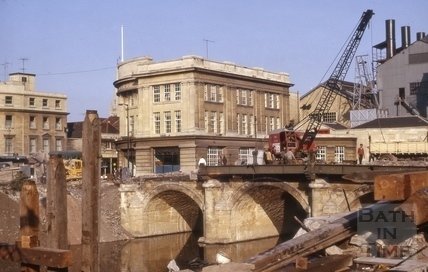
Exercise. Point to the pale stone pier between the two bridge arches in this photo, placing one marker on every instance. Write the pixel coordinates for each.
(217, 228)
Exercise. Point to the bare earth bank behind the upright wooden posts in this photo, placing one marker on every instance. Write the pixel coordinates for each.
(110, 229)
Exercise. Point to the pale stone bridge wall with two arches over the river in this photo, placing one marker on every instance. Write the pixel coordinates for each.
(231, 210)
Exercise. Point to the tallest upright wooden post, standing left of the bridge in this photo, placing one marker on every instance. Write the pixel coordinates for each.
(91, 191)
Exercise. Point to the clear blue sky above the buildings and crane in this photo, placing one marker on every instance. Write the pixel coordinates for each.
(73, 47)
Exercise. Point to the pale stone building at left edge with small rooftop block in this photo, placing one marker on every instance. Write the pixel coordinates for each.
(30, 121)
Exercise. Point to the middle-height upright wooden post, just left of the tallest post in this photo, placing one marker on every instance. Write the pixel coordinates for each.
(56, 204)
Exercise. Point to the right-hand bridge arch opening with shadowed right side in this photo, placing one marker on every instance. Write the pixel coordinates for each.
(266, 209)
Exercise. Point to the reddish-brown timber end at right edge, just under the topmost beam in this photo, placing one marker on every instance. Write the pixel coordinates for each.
(416, 206)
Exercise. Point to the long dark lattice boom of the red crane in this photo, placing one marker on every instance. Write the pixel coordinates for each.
(332, 85)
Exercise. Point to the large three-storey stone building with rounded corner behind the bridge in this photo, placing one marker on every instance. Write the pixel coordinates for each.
(177, 111)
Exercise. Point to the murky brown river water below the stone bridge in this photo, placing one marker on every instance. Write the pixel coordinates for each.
(153, 254)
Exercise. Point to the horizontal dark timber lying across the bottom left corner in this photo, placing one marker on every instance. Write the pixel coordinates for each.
(56, 258)
